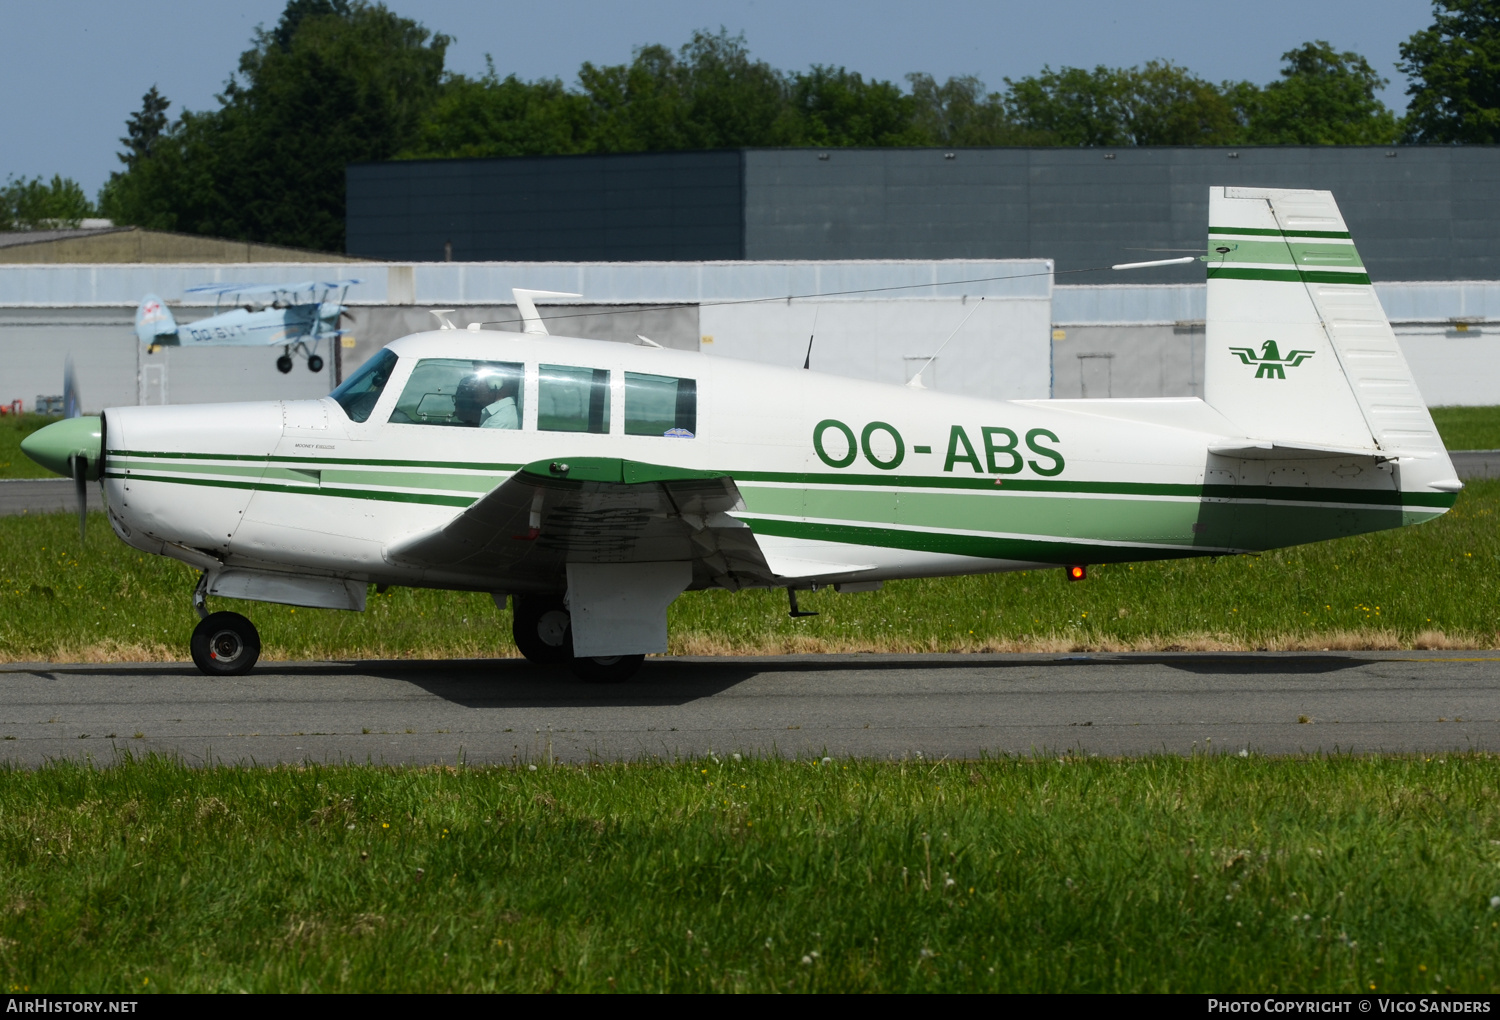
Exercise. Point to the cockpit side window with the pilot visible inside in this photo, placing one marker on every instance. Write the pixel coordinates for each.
(464, 394)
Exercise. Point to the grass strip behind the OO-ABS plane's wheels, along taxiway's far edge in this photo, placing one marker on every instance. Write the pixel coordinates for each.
(1432, 586)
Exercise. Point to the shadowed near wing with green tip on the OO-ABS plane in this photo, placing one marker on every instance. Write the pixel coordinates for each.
(551, 514)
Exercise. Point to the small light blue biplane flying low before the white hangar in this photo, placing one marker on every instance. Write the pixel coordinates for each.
(296, 317)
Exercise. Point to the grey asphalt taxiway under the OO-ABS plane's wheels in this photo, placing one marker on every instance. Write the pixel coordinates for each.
(502, 712)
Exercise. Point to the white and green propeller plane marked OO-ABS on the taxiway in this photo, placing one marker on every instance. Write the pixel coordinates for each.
(592, 484)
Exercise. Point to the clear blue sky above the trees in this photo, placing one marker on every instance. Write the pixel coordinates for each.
(76, 70)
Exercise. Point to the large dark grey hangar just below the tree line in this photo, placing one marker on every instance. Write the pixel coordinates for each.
(1418, 214)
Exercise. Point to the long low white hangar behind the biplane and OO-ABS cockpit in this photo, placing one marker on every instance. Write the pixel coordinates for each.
(874, 319)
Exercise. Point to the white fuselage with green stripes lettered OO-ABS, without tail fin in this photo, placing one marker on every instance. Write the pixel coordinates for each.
(842, 481)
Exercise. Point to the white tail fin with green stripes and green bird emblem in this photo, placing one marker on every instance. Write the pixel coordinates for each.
(1300, 350)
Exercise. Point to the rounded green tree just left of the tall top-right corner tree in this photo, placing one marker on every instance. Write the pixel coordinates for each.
(1324, 98)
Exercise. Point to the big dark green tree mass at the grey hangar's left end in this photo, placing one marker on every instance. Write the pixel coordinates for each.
(334, 83)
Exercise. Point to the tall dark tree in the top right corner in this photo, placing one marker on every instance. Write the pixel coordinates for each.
(1456, 74)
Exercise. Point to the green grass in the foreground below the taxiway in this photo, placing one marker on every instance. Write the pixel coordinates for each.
(1054, 875)
